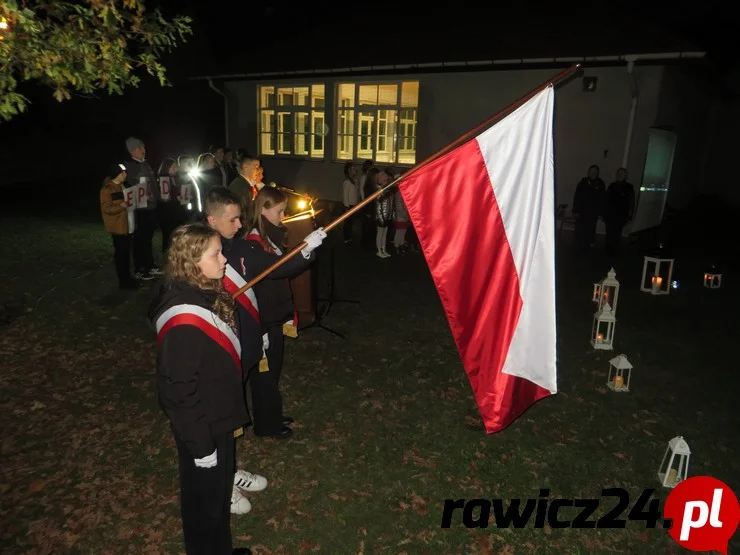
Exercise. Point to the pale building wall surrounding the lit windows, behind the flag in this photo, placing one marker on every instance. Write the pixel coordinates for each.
(590, 128)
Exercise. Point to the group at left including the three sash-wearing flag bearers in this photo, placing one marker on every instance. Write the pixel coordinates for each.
(214, 341)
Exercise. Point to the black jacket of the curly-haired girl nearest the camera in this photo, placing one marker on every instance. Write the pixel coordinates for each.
(200, 385)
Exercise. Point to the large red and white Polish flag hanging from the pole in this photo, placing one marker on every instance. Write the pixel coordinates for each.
(485, 216)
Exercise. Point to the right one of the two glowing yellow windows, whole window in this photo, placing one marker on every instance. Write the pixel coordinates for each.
(377, 121)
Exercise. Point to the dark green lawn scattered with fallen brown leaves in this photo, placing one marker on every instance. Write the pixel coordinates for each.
(386, 428)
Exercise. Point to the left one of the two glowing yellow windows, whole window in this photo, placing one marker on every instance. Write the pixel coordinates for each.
(292, 121)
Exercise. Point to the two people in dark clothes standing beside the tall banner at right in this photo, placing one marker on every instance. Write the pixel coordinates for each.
(614, 204)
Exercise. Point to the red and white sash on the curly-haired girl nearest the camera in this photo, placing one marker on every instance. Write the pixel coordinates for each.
(204, 320)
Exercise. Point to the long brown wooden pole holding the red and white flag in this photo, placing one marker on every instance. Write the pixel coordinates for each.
(565, 74)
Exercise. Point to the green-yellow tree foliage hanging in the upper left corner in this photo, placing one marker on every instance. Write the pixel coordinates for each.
(85, 47)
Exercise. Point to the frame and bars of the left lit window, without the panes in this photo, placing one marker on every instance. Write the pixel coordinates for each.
(308, 110)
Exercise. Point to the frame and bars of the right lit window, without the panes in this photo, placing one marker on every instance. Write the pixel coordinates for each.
(337, 136)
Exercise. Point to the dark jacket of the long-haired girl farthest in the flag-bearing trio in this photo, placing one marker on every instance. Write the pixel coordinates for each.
(273, 293)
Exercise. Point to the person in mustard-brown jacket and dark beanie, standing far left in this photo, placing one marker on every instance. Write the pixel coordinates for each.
(114, 209)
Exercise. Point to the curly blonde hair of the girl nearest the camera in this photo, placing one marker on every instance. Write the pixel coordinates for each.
(188, 244)
